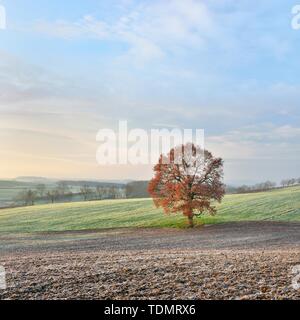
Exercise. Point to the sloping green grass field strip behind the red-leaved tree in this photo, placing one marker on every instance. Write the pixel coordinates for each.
(277, 205)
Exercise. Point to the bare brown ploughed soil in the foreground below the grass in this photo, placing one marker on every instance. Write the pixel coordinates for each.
(232, 261)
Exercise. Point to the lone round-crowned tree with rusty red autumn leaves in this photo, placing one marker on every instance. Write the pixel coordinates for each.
(187, 181)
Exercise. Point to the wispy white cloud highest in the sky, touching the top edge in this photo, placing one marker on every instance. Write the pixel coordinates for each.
(150, 29)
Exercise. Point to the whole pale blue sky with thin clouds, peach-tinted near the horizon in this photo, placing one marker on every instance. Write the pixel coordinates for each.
(69, 68)
